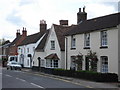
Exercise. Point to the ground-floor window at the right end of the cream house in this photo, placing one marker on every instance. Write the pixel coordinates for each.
(104, 64)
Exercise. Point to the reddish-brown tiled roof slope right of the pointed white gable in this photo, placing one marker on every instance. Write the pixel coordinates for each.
(60, 31)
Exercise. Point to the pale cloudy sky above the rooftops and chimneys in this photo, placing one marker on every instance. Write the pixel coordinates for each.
(16, 14)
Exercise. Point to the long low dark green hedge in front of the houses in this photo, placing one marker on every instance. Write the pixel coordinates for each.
(87, 75)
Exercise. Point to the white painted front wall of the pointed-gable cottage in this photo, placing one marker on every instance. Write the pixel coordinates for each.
(48, 51)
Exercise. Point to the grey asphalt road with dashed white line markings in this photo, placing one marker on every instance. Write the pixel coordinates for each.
(20, 79)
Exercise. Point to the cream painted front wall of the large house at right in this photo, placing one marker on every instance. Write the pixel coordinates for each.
(111, 51)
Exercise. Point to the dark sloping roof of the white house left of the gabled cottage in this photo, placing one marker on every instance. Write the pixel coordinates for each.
(31, 38)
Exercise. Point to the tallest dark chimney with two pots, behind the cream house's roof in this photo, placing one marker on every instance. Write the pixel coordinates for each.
(81, 16)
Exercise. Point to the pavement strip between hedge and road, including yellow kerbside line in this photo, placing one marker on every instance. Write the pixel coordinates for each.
(90, 84)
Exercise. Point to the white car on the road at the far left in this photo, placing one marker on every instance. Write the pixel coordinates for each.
(13, 65)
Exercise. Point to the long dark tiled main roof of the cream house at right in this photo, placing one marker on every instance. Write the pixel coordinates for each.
(96, 24)
